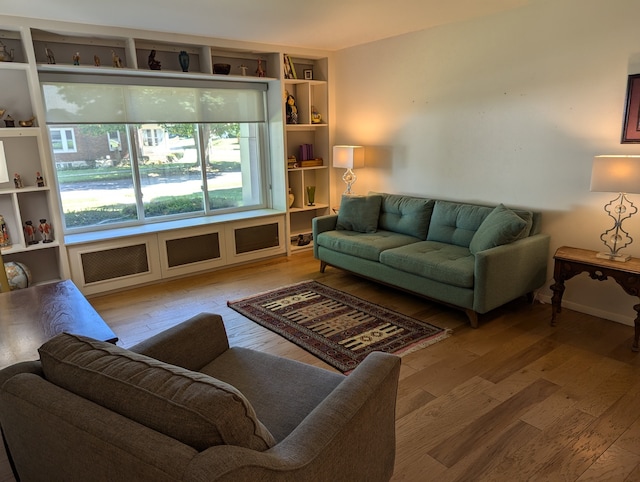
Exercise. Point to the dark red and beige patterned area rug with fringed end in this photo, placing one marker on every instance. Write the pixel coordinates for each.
(337, 327)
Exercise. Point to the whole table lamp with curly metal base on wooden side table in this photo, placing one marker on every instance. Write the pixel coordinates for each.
(620, 174)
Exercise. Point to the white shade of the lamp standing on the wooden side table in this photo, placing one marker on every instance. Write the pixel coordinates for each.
(616, 174)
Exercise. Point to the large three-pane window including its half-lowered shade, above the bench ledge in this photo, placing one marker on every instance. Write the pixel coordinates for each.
(154, 153)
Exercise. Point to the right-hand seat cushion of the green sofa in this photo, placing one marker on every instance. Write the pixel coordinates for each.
(442, 262)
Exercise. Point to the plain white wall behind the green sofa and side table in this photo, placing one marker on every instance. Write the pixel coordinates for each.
(509, 108)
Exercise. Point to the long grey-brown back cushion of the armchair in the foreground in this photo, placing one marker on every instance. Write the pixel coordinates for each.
(192, 407)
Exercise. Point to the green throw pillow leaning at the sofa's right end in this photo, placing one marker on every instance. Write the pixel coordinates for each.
(501, 226)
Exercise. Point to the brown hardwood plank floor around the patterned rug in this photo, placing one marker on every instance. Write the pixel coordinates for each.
(514, 400)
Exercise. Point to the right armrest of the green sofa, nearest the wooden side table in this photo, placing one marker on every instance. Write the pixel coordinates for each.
(506, 272)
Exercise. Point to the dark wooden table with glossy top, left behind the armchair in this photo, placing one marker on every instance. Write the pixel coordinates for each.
(31, 316)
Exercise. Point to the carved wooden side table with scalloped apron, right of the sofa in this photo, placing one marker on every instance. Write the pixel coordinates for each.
(572, 261)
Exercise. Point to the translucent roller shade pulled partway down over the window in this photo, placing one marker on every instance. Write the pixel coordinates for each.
(120, 100)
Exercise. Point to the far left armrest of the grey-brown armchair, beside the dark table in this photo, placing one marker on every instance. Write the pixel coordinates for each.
(191, 344)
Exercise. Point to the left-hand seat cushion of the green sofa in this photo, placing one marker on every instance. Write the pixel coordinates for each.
(362, 245)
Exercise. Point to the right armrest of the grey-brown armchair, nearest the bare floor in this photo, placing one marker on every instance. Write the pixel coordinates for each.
(349, 436)
